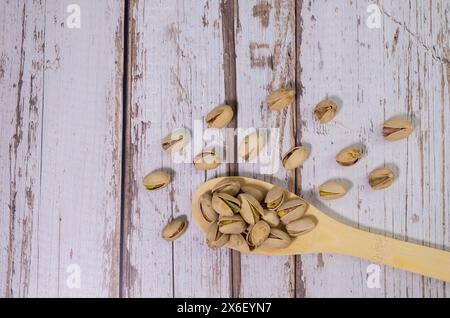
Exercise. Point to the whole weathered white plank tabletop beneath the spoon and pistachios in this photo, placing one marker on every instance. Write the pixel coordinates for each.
(83, 110)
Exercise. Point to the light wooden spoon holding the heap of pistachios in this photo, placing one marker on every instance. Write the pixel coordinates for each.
(331, 236)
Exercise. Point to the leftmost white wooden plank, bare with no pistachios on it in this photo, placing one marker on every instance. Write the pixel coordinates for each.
(64, 117)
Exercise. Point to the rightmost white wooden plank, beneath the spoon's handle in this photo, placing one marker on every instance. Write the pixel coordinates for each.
(376, 74)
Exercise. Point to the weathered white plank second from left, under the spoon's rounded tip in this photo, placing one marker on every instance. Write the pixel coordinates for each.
(176, 77)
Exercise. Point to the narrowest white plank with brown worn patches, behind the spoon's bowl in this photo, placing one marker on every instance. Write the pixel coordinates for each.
(265, 49)
